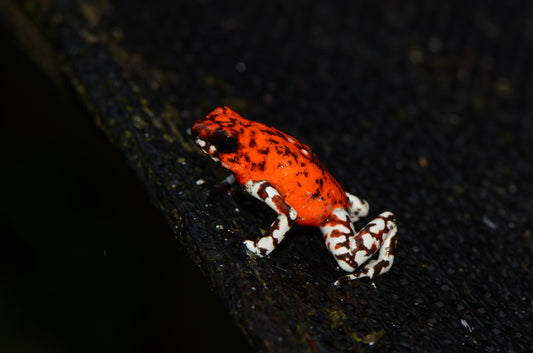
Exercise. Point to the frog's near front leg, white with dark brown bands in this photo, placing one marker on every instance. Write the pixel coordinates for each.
(279, 228)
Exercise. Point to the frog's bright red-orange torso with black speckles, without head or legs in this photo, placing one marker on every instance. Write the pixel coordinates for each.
(291, 167)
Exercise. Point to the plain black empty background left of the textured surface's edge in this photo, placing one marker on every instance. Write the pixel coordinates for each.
(87, 262)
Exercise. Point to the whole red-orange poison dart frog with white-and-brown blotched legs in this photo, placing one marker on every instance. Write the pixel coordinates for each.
(285, 174)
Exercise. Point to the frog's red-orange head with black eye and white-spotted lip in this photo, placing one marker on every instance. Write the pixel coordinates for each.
(215, 134)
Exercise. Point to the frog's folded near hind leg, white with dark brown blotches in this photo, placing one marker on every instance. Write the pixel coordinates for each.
(352, 250)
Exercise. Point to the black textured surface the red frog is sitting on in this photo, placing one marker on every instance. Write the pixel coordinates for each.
(424, 110)
